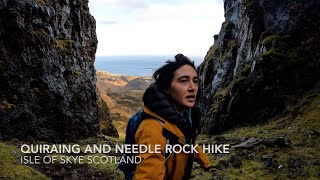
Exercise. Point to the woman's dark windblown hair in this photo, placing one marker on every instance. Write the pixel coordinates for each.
(164, 75)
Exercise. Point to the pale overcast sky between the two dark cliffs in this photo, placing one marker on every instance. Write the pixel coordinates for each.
(156, 27)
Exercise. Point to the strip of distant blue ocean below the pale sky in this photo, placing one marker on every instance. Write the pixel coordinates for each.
(135, 65)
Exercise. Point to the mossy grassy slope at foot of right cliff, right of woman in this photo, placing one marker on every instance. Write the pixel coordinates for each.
(299, 126)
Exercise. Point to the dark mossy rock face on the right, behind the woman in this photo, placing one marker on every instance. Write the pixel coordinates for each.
(266, 54)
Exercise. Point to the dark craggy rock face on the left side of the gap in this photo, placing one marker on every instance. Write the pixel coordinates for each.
(47, 77)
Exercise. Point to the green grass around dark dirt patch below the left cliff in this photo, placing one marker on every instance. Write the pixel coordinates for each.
(11, 168)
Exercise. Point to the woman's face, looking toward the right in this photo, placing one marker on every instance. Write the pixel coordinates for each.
(184, 87)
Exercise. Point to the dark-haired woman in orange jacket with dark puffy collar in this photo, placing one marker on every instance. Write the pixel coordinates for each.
(169, 103)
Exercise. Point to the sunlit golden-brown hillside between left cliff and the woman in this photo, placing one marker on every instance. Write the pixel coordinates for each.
(123, 95)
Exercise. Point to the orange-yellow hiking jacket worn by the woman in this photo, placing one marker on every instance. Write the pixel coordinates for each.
(153, 165)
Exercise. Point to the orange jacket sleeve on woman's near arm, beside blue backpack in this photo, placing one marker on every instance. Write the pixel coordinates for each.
(152, 165)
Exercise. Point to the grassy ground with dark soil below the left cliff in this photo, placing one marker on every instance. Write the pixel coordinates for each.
(11, 167)
